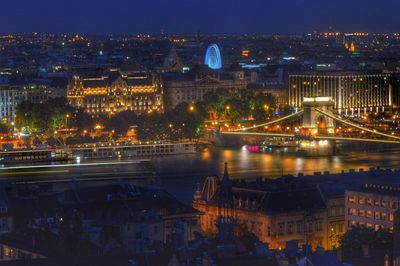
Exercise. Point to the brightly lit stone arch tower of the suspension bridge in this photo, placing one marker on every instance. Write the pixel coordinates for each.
(315, 122)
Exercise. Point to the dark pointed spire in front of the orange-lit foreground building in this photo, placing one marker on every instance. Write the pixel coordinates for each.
(225, 220)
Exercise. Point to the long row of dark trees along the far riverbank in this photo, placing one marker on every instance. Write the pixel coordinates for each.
(186, 121)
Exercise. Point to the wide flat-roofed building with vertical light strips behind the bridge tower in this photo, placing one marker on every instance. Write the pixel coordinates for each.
(353, 94)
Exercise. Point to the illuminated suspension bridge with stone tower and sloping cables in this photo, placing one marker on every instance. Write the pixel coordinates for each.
(317, 121)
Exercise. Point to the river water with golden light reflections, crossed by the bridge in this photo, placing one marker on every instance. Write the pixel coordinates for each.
(180, 174)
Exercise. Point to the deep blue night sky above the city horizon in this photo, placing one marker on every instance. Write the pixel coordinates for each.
(208, 16)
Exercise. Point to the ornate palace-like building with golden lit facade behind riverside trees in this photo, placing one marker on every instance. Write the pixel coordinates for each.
(115, 92)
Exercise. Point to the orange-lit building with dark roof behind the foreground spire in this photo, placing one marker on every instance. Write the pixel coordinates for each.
(273, 216)
